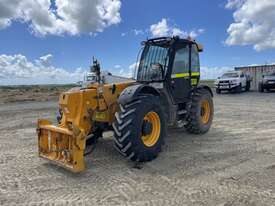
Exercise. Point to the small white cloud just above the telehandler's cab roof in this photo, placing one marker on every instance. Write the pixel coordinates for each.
(162, 28)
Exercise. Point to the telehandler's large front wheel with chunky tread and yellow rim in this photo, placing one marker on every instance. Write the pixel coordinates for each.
(140, 129)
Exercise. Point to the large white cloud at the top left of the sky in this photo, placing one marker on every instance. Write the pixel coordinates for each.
(69, 17)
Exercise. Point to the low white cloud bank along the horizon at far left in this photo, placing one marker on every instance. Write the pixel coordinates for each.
(17, 69)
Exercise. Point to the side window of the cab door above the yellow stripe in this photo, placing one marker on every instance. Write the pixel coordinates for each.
(181, 61)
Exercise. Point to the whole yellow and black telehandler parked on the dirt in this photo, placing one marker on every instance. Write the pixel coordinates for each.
(166, 91)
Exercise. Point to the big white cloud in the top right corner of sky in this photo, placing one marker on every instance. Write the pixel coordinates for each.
(254, 23)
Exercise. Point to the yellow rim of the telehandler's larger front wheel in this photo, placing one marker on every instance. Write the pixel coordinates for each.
(152, 138)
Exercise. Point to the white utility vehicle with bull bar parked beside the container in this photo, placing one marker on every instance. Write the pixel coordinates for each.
(233, 81)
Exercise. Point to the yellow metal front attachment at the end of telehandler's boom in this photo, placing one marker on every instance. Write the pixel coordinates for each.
(61, 145)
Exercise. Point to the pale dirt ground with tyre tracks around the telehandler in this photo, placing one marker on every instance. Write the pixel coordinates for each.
(233, 164)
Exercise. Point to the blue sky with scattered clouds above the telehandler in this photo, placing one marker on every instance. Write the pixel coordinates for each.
(116, 44)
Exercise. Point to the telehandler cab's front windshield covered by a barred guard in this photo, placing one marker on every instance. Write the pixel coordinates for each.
(153, 63)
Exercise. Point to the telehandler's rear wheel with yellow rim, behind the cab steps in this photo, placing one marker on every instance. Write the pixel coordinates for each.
(201, 114)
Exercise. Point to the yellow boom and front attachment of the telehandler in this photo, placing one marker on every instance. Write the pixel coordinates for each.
(65, 144)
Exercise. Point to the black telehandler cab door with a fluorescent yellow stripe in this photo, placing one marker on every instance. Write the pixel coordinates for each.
(180, 83)
